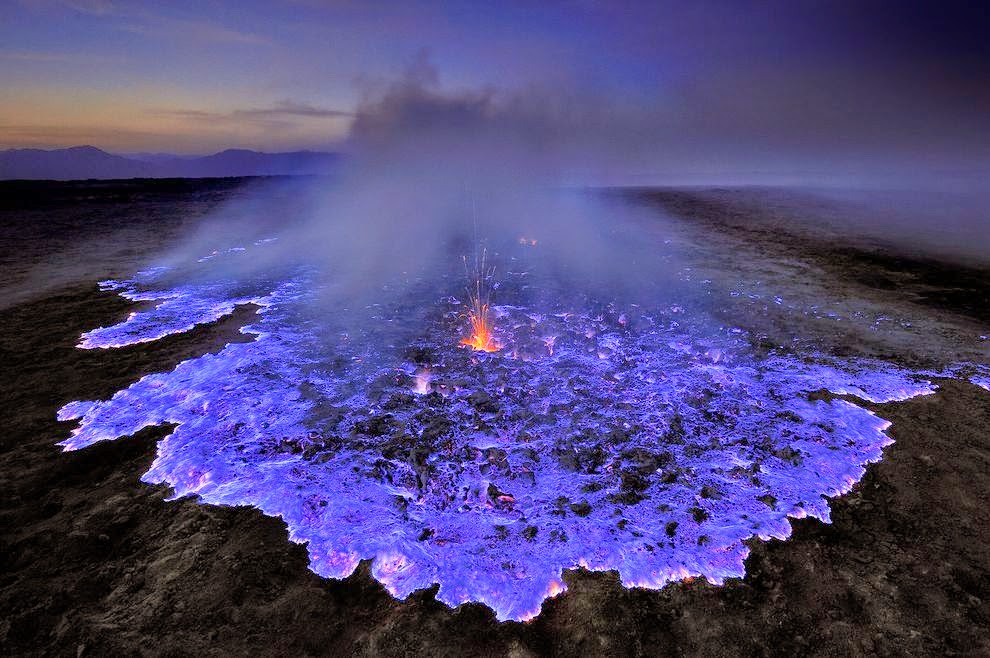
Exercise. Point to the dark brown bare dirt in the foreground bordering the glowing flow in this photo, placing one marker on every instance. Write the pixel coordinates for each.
(94, 562)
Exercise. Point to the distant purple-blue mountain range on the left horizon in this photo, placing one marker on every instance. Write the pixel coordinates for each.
(81, 162)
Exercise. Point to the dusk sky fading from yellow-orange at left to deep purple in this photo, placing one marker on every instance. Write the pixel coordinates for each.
(707, 84)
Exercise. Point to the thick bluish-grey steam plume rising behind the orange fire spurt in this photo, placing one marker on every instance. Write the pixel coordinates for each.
(433, 176)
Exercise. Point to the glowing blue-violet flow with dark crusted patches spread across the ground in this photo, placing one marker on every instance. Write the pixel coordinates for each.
(585, 442)
